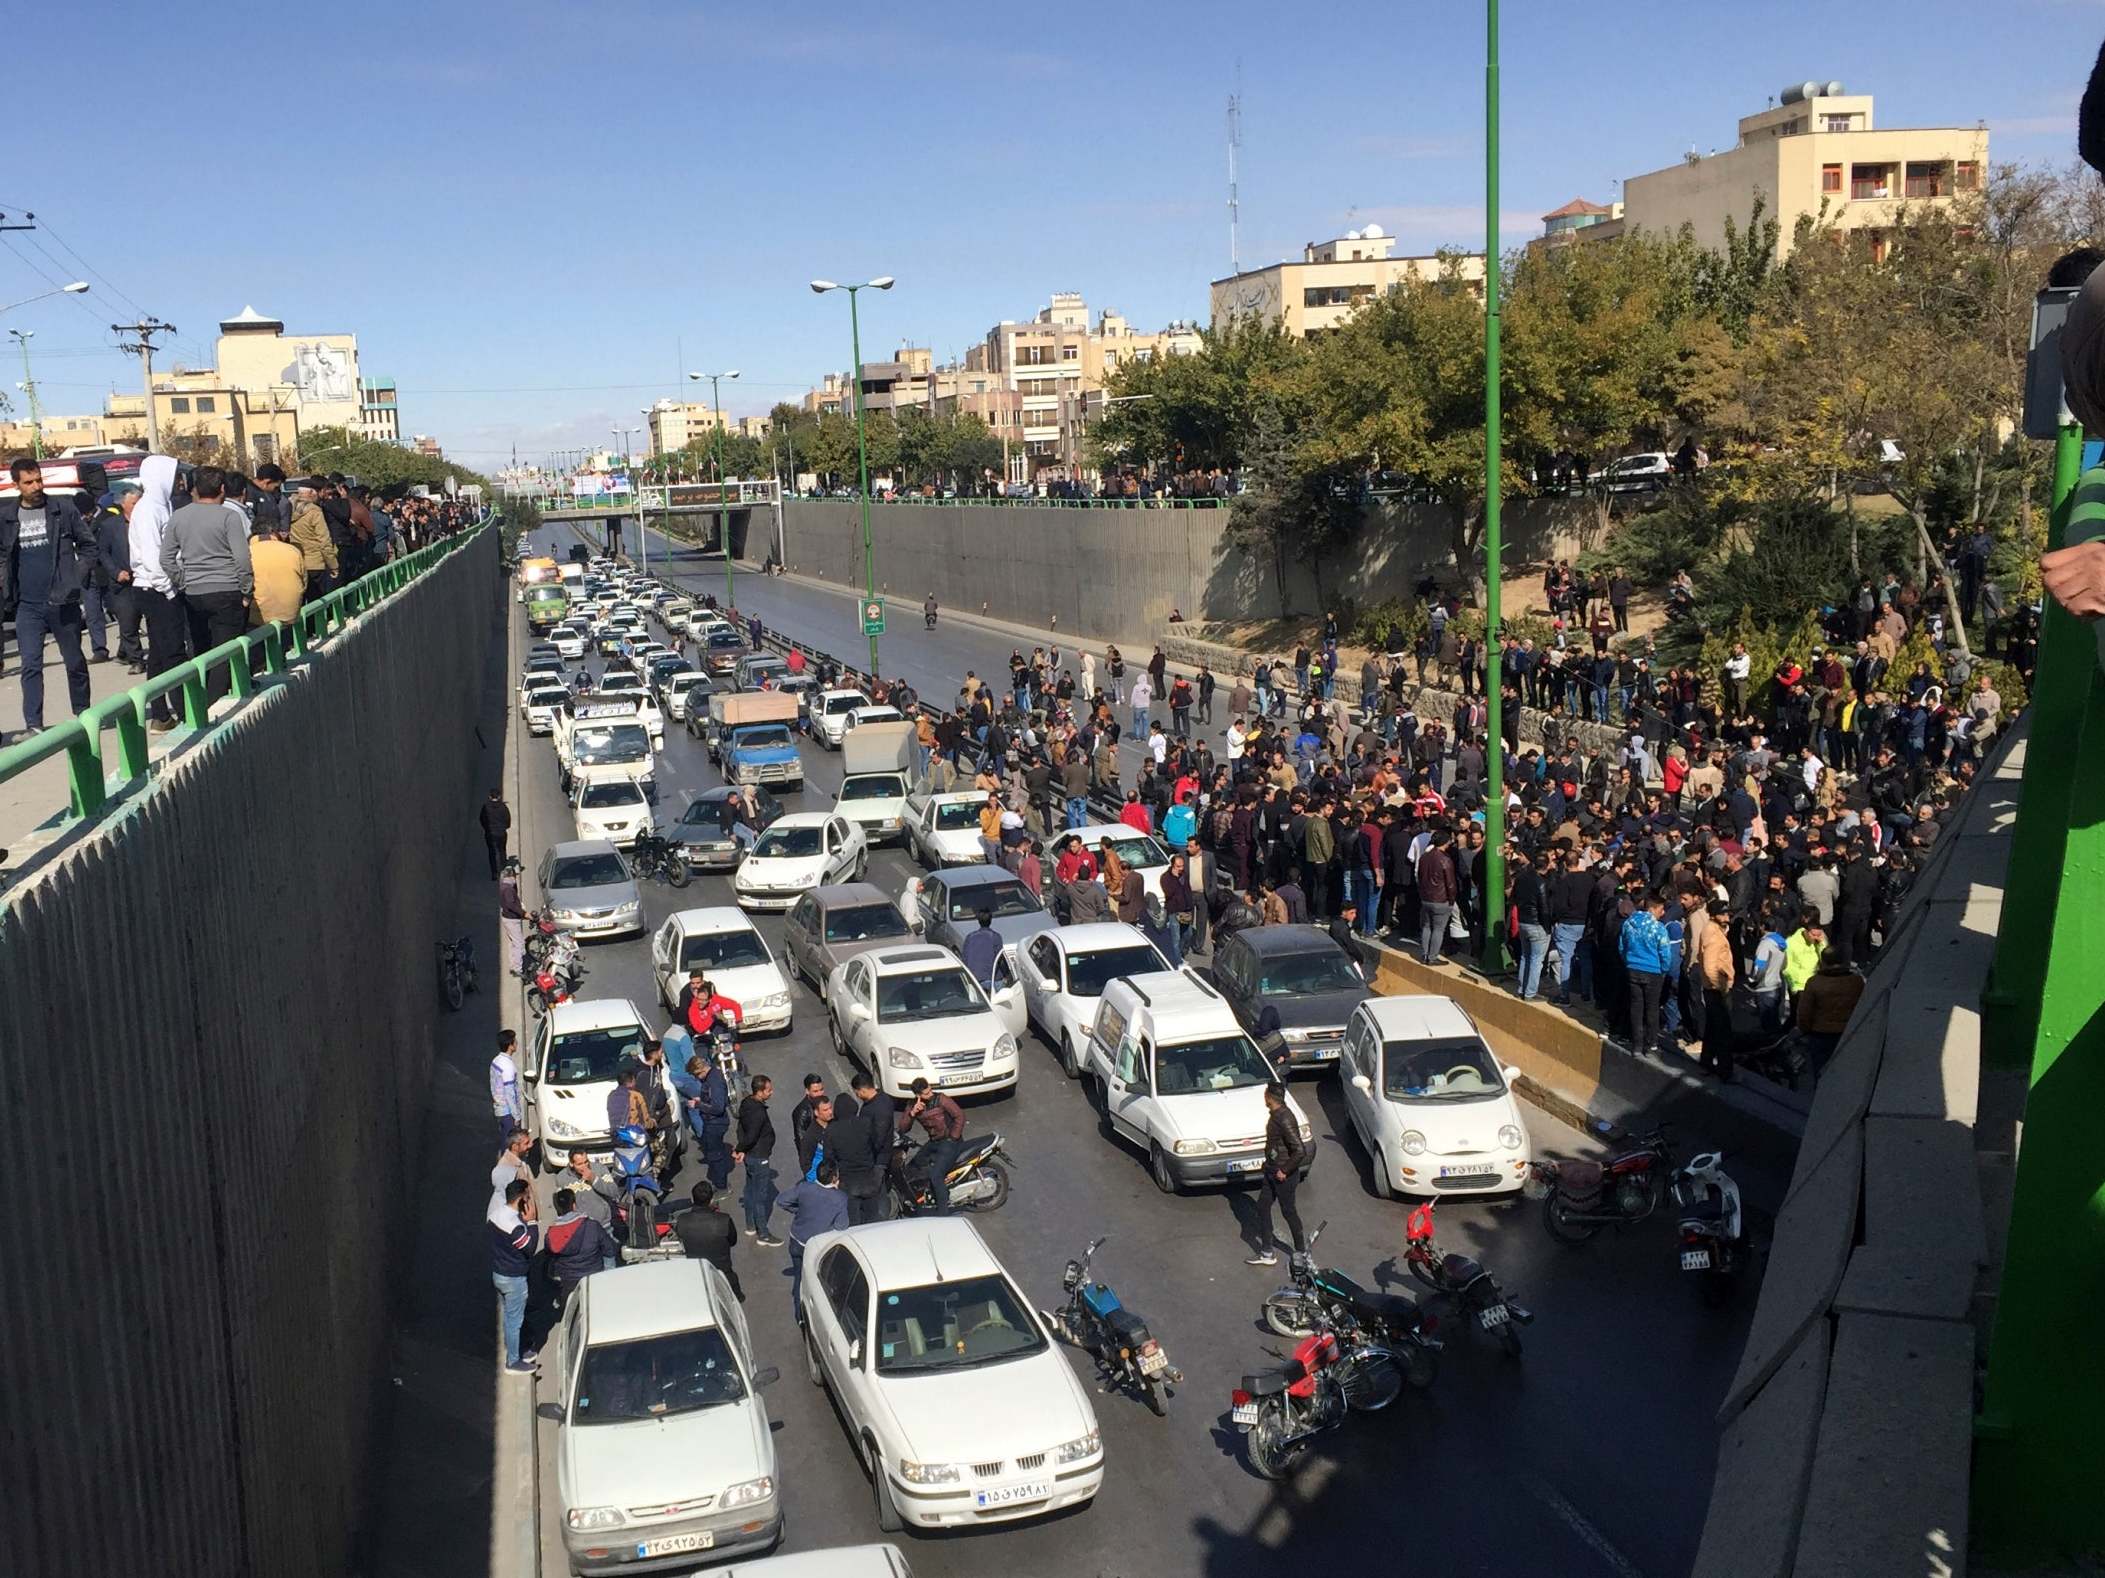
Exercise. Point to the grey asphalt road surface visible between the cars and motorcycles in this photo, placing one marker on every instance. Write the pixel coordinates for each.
(1588, 1457)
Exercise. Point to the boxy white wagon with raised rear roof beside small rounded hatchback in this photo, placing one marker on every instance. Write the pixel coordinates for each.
(1178, 1078)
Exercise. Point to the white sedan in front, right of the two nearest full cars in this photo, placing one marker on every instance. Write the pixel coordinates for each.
(957, 1400)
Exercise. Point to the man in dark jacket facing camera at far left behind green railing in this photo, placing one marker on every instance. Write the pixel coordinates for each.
(45, 557)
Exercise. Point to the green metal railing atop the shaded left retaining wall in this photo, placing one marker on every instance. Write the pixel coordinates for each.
(270, 649)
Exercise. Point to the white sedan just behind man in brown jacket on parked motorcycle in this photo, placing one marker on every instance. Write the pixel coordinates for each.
(915, 1013)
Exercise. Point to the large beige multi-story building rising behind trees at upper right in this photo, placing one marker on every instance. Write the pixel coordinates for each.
(1816, 153)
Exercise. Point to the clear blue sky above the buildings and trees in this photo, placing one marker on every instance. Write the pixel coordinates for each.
(534, 211)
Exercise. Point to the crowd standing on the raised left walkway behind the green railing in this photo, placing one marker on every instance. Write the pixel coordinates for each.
(182, 561)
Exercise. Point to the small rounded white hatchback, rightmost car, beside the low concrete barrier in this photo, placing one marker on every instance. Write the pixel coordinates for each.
(1430, 1101)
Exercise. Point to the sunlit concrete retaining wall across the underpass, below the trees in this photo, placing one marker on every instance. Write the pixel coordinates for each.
(1119, 573)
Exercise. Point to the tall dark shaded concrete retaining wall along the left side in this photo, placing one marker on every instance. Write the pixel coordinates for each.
(216, 1038)
